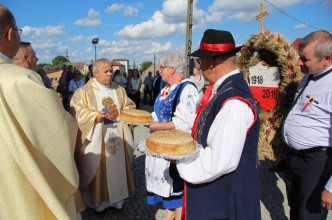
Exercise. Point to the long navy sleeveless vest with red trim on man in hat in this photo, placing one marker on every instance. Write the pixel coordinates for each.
(236, 194)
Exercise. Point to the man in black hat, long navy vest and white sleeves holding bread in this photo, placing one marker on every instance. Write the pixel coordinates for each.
(222, 182)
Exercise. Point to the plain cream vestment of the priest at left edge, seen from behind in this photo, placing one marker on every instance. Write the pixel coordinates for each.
(37, 141)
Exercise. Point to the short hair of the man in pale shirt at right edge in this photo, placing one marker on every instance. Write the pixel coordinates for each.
(323, 45)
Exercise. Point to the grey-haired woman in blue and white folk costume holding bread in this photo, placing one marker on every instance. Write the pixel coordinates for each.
(174, 108)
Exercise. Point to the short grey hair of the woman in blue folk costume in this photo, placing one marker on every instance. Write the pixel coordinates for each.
(174, 59)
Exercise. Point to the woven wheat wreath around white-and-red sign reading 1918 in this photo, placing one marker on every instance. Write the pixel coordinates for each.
(261, 53)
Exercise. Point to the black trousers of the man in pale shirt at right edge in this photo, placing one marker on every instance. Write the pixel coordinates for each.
(306, 176)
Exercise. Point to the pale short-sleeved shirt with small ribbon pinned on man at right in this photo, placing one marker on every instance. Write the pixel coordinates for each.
(310, 126)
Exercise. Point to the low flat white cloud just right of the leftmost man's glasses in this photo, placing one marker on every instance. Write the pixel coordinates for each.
(43, 31)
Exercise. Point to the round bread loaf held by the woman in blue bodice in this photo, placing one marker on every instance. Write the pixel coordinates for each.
(136, 116)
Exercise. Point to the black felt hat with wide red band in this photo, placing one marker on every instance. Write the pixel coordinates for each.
(216, 43)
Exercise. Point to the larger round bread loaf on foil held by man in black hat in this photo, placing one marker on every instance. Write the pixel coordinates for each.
(171, 142)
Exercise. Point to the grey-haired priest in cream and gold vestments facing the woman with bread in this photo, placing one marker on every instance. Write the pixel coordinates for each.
(105, 149)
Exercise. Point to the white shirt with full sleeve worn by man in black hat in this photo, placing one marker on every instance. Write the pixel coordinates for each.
(225, 142)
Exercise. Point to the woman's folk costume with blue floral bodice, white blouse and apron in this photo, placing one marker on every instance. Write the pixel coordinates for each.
(176, 103)
